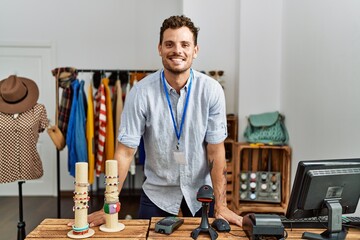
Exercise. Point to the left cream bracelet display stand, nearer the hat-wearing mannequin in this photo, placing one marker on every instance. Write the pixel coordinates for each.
(81, 227)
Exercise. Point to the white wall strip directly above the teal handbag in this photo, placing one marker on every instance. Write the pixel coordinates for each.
(260, 58)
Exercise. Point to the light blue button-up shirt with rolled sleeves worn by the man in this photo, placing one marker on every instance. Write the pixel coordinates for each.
(146, 113)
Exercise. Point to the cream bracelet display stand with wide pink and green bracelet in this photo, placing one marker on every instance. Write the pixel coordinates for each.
(112, 204)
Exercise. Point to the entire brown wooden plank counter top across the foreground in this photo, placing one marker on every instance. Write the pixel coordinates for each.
(57, 229)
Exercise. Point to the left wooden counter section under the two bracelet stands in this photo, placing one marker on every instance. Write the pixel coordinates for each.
(58, 229)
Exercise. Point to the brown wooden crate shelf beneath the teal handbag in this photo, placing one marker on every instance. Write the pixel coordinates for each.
(280, 162)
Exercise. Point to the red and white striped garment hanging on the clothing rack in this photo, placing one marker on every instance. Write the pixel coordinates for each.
(100, 128)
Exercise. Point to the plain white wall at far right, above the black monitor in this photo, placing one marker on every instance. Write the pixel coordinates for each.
(321, 78)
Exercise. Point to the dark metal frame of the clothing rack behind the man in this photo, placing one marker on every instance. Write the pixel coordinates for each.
(128, 71)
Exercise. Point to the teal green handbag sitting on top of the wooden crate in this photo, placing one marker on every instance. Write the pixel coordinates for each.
(267, 128)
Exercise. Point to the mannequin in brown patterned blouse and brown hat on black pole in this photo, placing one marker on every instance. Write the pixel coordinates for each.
(21, 121)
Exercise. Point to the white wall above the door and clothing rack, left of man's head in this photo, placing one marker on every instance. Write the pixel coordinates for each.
(88, 33)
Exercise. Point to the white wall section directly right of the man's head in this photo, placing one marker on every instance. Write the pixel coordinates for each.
(218, 41)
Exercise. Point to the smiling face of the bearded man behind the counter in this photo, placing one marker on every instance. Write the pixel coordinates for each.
(177, 49)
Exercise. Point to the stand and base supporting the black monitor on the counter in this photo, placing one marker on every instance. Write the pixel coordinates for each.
(334, 231)
